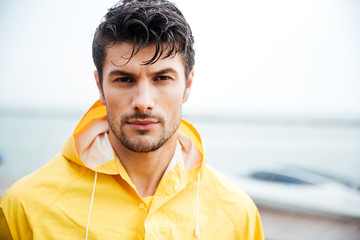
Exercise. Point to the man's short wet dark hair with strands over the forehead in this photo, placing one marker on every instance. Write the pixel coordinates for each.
(141, 23)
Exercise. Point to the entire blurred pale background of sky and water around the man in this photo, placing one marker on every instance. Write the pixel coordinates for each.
(276, 99)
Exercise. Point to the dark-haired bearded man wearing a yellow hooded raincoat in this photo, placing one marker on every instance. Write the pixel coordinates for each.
(133, 169)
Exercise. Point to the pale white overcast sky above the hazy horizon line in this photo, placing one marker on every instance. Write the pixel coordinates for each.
(272, 57)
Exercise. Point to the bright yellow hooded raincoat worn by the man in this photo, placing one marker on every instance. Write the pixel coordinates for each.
(54, 202)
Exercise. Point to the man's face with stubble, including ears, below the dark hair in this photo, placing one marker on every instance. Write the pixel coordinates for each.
(143, 101)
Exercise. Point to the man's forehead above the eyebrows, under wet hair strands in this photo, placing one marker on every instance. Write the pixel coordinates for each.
(118, 56)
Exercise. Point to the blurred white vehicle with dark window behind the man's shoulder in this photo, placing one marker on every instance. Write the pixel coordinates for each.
(293, 188)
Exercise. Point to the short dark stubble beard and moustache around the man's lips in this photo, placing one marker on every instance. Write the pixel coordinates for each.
(144, 143)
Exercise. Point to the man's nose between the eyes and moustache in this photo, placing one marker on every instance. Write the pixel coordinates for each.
(142, 99)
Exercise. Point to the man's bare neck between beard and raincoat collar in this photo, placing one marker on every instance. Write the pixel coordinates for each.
(145, 169)
